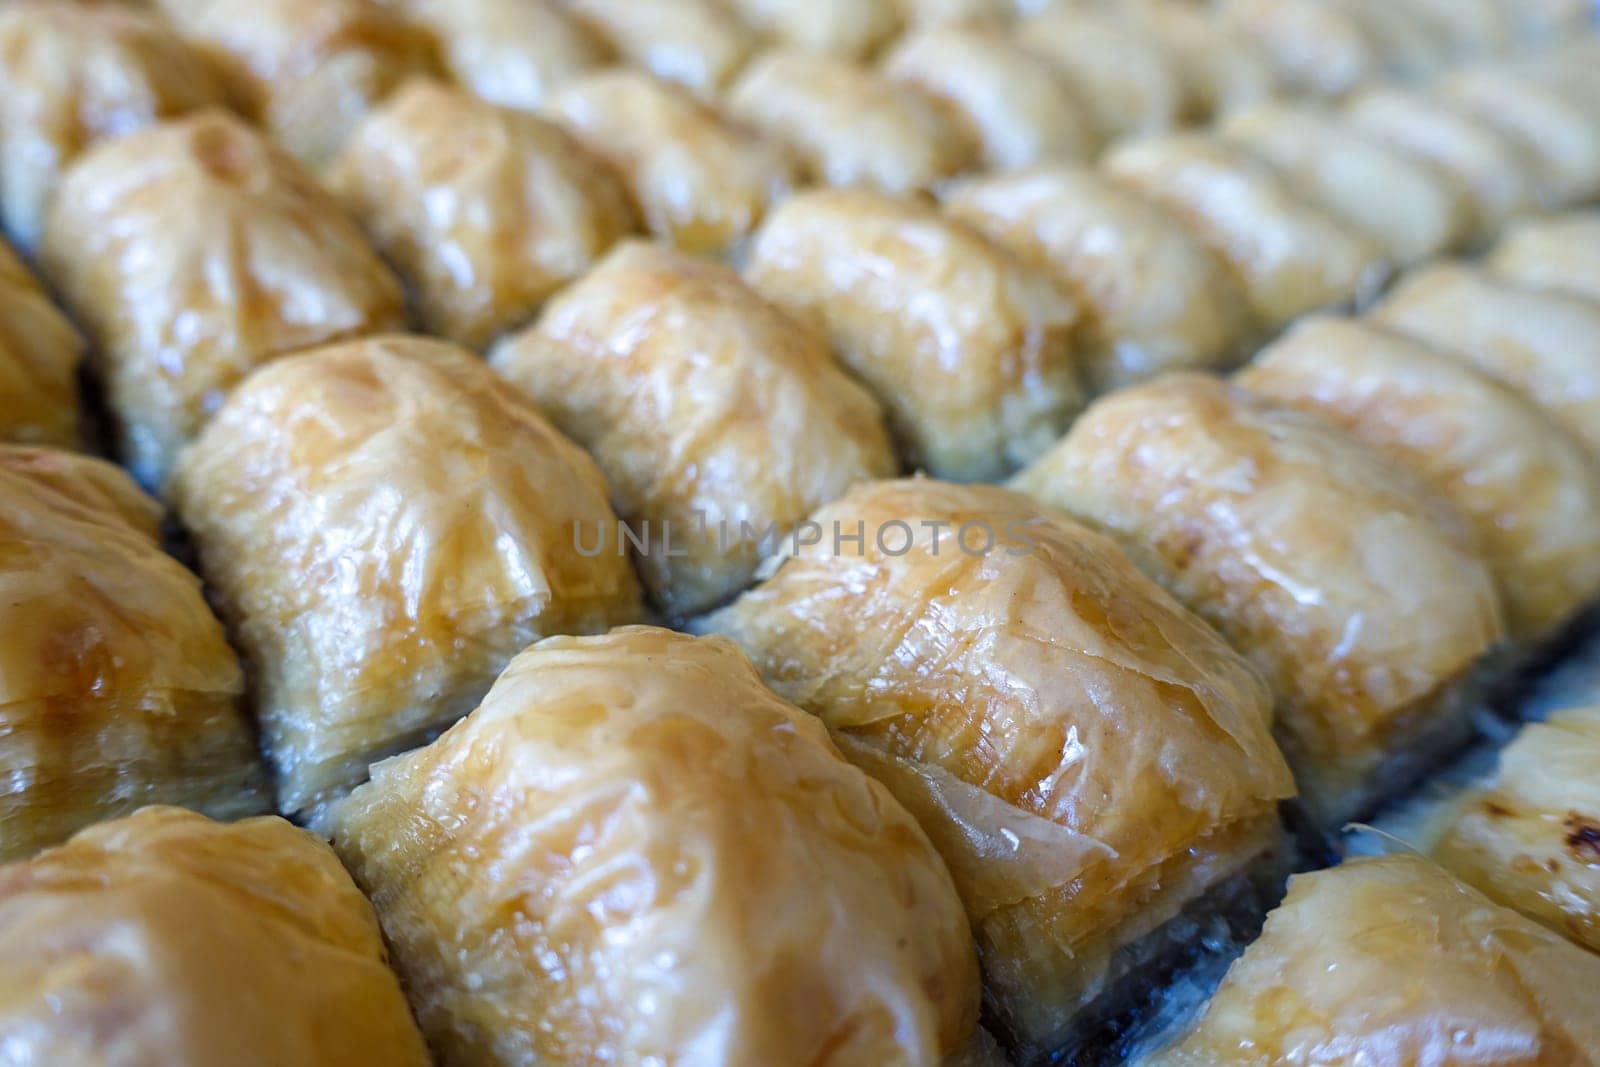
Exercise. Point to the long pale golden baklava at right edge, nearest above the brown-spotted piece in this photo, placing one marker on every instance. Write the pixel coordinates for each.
(1527, 489)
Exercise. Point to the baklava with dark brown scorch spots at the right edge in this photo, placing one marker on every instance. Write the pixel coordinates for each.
(1530, 839)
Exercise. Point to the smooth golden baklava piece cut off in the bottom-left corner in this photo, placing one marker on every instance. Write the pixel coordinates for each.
(166, 938)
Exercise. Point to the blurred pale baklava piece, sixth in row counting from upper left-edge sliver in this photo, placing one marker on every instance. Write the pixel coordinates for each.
(1015, 106)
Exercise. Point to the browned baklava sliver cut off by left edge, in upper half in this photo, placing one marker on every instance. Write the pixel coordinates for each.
(39, 362)
